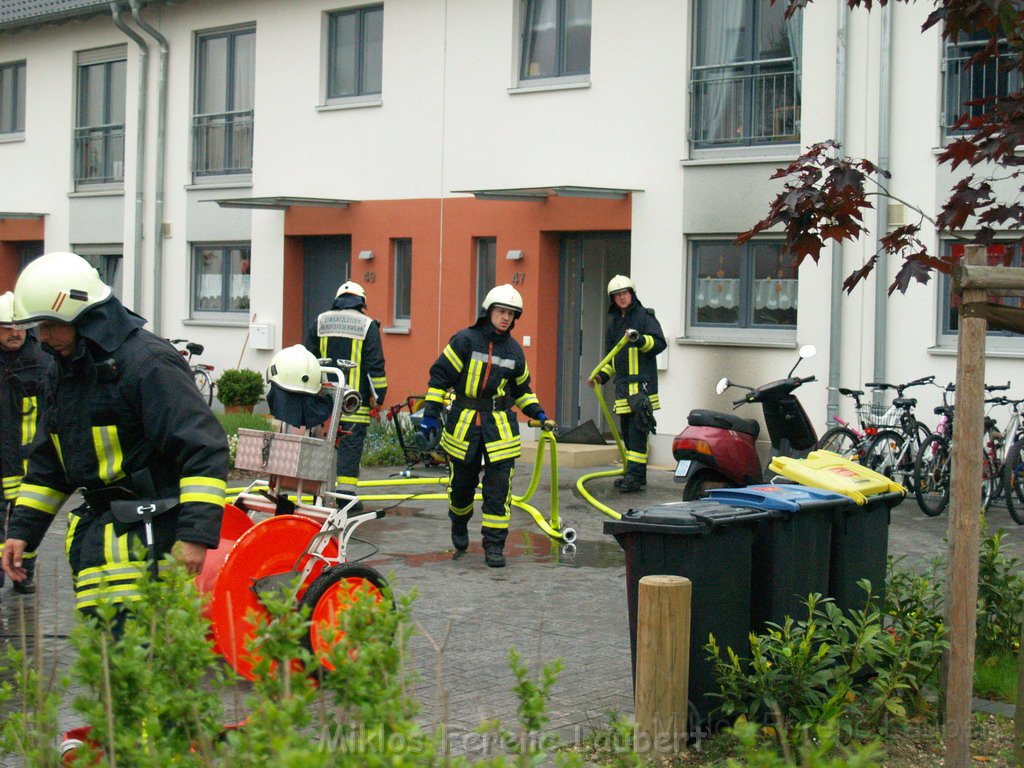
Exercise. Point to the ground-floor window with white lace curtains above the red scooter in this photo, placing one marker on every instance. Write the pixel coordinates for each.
(753, 287)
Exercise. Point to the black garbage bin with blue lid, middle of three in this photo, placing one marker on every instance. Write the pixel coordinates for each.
(792, 549)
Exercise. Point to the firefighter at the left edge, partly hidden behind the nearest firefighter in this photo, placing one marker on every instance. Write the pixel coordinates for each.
(23, 368)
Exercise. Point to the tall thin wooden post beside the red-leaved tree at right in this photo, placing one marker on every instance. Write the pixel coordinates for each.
(962, 581)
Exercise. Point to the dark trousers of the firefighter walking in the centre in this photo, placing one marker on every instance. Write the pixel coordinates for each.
(497, 487)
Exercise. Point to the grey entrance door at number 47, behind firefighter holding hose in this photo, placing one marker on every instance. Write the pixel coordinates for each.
(589, 261)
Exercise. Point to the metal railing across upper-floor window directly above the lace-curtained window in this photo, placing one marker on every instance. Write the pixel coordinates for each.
(754, 103)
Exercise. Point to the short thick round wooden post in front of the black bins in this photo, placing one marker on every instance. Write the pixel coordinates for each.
(663, 665)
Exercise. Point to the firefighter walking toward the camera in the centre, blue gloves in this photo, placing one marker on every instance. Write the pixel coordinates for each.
(487, 369)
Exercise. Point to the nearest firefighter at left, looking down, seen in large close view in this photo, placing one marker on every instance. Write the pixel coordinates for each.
(123, 419)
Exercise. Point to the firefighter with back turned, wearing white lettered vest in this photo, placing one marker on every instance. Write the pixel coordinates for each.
(346, 333)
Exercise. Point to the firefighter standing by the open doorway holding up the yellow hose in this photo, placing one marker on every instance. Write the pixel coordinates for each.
(635, 369)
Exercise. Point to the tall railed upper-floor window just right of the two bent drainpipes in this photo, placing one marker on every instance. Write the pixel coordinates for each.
(223, 125)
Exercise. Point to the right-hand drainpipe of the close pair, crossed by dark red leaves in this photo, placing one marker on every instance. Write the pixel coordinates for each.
(885, 125)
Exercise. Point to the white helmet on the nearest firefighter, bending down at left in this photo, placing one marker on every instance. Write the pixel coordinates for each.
(58, 286)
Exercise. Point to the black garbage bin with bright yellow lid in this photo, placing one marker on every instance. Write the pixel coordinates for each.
(861, 532)
